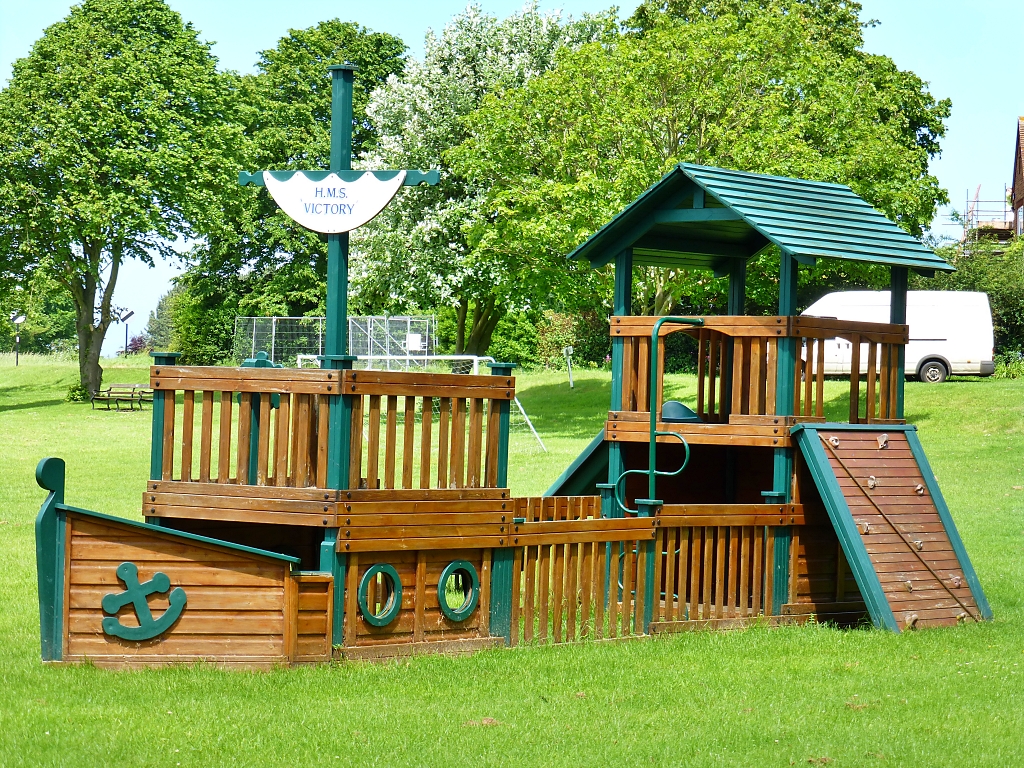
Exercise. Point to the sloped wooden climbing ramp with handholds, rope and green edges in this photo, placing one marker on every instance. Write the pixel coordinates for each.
(893, 524)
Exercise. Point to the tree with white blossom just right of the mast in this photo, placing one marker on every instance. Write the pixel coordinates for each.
(415, 254)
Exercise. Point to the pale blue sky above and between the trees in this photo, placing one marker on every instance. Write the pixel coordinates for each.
(966, 52)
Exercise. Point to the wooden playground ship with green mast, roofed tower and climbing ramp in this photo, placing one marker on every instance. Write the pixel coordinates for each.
(304, 516)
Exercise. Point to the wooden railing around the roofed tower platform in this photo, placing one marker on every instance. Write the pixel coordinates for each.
(738, 361)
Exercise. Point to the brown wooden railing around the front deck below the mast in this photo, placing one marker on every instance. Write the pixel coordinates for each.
(268, 426)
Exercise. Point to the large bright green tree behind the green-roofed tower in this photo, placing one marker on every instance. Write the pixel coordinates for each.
(773, 88)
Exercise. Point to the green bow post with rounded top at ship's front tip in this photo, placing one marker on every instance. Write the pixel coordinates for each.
(50, 559)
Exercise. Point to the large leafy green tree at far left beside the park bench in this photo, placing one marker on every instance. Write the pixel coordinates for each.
(117, 142)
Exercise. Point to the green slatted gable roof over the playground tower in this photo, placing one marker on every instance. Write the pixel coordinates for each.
(703, 218)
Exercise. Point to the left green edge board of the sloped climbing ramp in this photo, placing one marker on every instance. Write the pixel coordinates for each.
(842, 520)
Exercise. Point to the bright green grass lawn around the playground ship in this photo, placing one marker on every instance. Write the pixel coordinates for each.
(793, 696)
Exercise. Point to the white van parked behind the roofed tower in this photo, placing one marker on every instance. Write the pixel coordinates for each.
(951, 331)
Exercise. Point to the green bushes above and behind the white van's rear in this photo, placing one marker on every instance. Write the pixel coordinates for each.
(996, 269)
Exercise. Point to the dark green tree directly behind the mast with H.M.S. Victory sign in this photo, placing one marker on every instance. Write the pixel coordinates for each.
(263, 263)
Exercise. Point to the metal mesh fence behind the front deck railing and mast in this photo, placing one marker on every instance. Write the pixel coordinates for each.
(394, 344)
